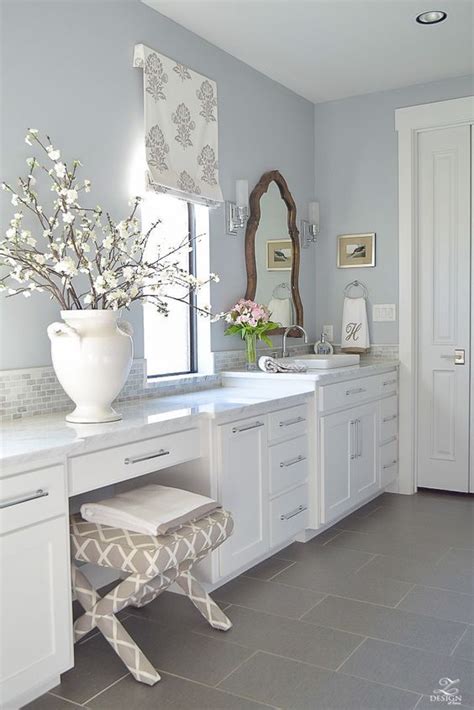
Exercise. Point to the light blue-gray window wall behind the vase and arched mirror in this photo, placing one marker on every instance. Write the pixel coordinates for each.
(67, 69)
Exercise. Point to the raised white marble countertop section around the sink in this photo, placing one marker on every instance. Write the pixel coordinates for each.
(321, 377)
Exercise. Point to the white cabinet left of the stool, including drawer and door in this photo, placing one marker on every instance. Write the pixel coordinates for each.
(35, 598)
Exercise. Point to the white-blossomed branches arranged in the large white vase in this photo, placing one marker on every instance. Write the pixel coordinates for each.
(78, 245)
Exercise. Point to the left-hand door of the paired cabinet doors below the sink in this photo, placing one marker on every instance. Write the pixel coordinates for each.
(336, 451)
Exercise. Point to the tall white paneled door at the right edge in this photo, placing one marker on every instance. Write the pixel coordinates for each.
(444, 179)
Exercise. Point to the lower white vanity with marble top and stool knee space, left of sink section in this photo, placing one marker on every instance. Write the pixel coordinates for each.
(217, 442)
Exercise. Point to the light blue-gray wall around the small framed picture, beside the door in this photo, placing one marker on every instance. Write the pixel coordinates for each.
(357, 185)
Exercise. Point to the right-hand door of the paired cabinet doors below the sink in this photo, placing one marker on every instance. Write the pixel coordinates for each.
(364, 465)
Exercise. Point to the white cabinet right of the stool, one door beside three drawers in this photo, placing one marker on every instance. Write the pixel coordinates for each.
(262, 472)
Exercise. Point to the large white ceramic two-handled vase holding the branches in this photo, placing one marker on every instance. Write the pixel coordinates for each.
(92, 353)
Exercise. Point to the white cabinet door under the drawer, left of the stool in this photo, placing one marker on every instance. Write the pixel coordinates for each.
(35, 607)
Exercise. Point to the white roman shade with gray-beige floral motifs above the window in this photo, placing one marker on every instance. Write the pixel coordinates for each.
(180, 128)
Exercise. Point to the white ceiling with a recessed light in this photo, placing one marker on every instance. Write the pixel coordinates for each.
(331, 49)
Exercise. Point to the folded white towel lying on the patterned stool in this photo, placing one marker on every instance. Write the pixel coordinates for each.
(151, 509)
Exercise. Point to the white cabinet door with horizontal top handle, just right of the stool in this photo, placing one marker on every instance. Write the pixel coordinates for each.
(243, 478)
